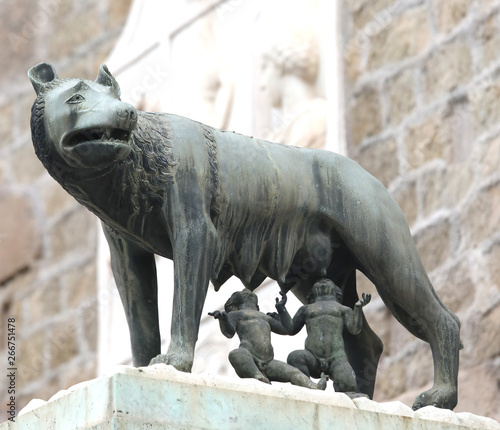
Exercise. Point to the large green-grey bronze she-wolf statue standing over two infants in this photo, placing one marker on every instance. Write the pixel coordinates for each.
(221, 204)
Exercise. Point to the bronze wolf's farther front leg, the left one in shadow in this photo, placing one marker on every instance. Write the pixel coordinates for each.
(134, 270)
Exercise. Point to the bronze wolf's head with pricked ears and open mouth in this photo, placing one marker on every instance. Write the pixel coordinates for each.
(82, 123)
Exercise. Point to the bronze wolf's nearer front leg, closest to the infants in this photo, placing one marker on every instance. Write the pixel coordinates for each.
(193, 249)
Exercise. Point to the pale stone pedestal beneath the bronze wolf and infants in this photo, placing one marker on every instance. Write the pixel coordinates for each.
(159, 397)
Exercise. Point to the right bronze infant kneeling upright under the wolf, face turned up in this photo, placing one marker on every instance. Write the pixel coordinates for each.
(325, 319)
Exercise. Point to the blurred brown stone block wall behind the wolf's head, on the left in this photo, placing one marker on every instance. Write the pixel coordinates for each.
(47, 240)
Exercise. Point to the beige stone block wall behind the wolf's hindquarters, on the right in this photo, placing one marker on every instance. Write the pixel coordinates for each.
(422, 83)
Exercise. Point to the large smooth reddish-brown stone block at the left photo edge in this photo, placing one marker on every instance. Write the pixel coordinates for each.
(19, 235)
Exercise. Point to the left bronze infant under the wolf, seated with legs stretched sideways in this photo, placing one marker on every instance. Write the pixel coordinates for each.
(255, 356)
